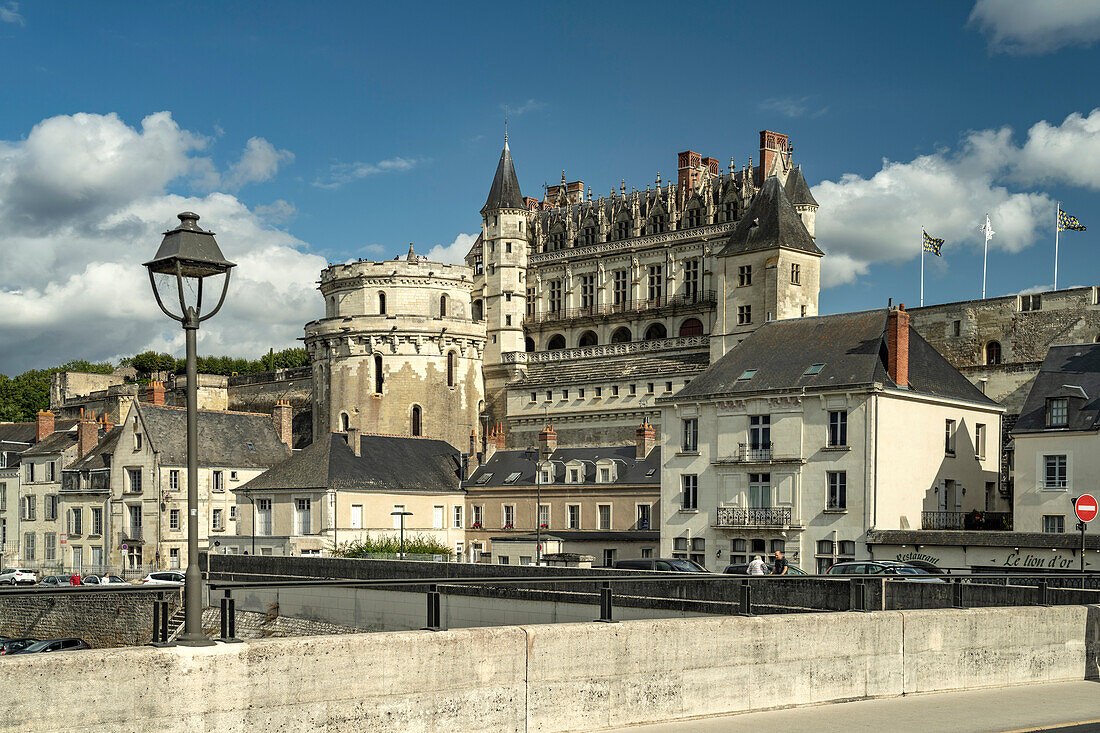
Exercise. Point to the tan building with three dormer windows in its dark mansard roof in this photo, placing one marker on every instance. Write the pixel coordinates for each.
(599, 501)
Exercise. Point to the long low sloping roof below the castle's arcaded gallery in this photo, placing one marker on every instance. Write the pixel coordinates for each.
(602, 369)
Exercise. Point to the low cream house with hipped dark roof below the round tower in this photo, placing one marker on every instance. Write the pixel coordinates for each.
(334, 493)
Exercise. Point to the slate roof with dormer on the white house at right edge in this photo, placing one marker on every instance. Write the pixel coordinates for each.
(1073, 367)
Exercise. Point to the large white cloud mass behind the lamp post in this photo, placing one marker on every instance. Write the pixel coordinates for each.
(84, 202)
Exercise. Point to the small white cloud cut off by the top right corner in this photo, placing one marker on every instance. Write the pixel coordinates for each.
(1037, 27)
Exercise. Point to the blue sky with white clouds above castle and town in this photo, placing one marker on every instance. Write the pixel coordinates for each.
(307, 134)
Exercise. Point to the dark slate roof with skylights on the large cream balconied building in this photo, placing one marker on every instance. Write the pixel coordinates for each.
(852, 347)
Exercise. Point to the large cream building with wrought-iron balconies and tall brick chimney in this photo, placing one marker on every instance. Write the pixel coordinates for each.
(813, 432)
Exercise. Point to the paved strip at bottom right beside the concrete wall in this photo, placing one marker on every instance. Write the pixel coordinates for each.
(1069, 707)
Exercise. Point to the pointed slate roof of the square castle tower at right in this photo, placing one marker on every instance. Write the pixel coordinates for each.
(771, 222)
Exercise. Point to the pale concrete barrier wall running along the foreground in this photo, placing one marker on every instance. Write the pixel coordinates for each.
(562, 677)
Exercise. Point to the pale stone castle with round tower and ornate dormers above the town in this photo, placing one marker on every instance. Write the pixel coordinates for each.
(571, 310)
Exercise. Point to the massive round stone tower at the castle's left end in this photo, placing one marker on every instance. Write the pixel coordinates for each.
(399, 351)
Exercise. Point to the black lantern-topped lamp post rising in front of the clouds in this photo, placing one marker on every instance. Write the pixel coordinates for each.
(189, 255)
